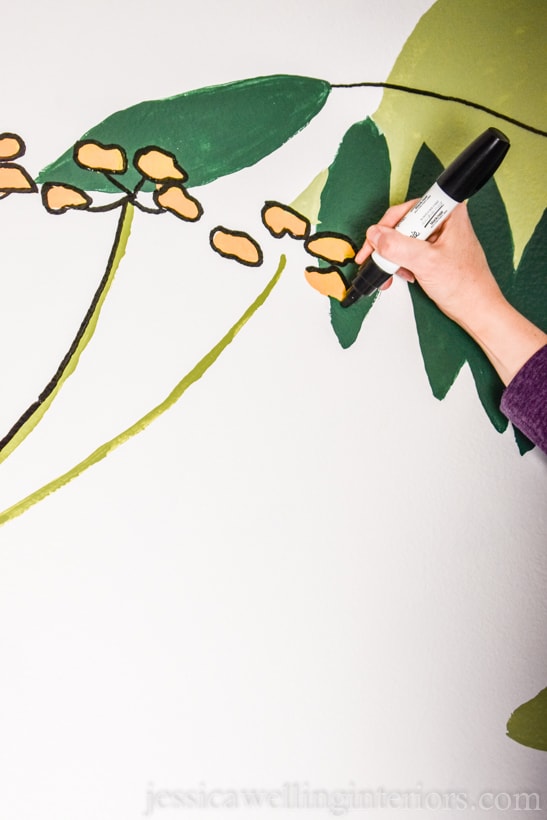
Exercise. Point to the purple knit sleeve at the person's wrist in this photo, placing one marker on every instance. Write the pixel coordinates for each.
(524, 400)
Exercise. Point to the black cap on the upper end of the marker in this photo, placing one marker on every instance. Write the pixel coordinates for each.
(475, 165)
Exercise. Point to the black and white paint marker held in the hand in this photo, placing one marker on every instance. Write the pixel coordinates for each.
(465, 176)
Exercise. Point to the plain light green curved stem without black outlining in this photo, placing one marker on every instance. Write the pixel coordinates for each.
(192, 376)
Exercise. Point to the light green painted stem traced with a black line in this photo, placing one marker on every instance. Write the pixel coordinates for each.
(30, 418)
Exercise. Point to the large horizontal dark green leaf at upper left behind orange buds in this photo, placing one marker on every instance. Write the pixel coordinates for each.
(212, 131)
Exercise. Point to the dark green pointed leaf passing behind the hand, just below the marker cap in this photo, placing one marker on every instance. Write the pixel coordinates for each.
(441, 341)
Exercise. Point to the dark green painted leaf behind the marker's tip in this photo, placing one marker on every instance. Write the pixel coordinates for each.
(355, 196)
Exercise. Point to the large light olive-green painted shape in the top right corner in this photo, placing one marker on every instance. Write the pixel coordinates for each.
(492, 53)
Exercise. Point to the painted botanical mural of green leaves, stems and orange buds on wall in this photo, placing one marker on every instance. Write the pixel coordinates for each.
(153, 156)
